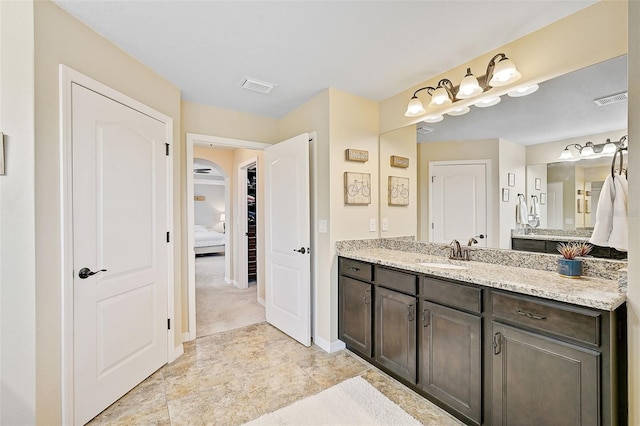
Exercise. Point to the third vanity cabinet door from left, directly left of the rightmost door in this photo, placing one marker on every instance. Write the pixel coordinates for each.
(451, 358)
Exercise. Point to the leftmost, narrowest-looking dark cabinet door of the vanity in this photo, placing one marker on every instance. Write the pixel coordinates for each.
(354, 321)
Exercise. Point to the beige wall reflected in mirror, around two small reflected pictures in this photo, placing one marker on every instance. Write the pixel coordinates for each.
(403, 220)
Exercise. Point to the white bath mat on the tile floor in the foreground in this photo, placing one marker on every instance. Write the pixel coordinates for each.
(352, 402)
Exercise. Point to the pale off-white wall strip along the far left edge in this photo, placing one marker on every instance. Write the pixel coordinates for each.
(17, 216)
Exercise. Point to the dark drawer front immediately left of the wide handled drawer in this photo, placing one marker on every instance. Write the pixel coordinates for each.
(455, 295)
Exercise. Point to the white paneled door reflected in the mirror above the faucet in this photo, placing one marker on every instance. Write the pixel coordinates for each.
(458, 202)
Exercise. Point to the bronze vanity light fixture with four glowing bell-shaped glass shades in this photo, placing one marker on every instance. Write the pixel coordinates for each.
(501, 71)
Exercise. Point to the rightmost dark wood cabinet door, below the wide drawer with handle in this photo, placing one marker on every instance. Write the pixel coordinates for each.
(542, 381)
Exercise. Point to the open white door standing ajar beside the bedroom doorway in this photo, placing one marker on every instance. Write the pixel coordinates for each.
(287, 238)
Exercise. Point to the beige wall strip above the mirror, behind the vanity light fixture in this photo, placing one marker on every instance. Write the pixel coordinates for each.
(589, 36)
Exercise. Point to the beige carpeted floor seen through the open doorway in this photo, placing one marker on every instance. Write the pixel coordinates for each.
(221, 306)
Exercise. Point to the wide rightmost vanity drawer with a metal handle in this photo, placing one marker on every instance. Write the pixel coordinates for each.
(575, 323)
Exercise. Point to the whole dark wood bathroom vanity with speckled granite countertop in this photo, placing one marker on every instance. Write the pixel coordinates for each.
(491, 344)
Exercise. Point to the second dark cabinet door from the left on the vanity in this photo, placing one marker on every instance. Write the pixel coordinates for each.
(395, 324)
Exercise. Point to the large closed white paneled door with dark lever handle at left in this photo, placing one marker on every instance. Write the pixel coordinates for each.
(119, 249)
